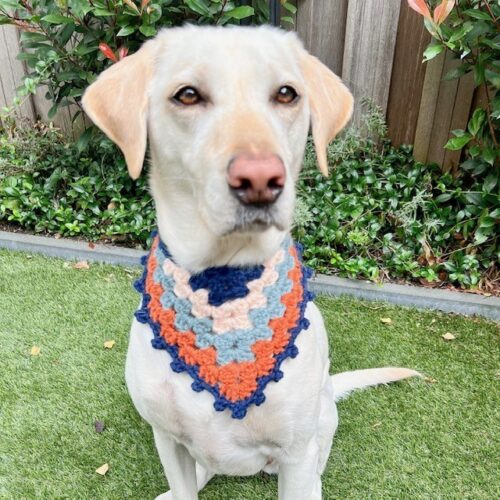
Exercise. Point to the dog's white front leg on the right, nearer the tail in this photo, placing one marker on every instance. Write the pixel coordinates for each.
(301, 480)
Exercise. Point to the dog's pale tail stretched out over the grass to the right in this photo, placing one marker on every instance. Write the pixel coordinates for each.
(346, 382)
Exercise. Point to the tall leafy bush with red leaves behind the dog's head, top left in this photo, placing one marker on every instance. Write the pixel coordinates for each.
(67, 43)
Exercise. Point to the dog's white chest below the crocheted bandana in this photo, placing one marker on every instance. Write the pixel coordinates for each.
(224, 444)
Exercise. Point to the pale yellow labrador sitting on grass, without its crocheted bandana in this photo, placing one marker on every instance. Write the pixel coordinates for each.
(227, 113)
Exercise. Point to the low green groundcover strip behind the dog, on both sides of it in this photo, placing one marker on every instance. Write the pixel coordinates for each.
(380, 215)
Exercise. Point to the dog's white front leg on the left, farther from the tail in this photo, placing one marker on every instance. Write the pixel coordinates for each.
(179, 467)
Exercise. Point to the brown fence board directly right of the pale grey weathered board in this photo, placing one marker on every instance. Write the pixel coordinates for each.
(408, 75)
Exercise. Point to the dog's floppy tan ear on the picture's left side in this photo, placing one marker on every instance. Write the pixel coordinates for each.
(117, 102)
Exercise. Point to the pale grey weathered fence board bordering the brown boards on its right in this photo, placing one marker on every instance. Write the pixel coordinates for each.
(371, 30)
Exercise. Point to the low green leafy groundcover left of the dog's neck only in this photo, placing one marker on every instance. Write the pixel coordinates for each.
(60, 190)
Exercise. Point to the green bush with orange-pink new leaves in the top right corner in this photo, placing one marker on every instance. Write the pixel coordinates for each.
(469, 29)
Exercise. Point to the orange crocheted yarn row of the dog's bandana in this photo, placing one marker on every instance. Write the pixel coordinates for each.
(236, 381)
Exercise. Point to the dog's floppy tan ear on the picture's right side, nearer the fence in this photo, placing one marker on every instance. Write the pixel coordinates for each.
(331, 105)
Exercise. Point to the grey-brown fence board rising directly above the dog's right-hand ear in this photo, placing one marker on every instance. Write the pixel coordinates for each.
(321, 26)
